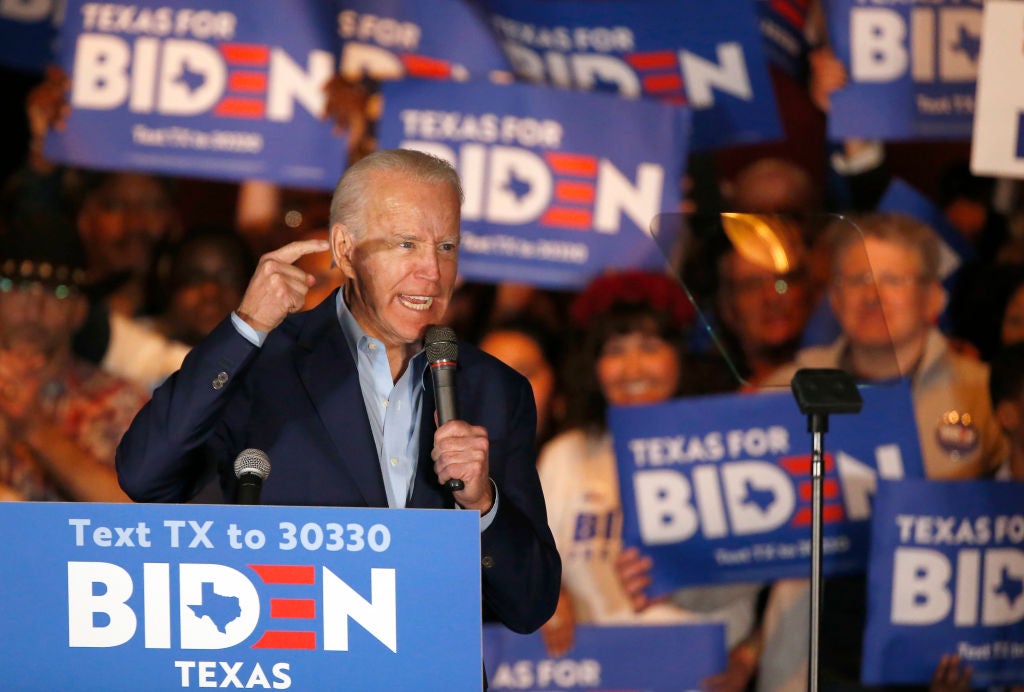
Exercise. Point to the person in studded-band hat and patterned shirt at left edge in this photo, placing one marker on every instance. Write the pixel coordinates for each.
(61, 417)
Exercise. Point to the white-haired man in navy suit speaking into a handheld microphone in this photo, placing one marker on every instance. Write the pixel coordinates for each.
(339, 397)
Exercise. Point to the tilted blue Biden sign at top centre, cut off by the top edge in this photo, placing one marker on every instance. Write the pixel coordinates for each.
(707, 56)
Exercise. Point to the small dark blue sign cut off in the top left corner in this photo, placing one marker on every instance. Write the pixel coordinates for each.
(28, 31)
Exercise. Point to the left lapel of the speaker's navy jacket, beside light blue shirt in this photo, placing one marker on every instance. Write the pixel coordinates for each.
(329, 374)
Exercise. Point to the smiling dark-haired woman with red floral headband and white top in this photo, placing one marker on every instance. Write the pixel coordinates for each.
(629, 352)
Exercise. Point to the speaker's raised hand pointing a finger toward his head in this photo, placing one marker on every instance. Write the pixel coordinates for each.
(279, 288)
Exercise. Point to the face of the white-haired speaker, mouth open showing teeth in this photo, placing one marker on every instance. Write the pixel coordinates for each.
(403, 270)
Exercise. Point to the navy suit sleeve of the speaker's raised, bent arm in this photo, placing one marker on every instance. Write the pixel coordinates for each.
(166, 453)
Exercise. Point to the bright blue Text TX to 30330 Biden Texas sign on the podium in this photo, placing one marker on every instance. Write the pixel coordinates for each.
(166, 597)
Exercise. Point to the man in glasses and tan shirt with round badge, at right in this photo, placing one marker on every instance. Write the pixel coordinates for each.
(886, 295)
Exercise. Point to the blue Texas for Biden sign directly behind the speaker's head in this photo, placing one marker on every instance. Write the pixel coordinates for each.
(553, 195)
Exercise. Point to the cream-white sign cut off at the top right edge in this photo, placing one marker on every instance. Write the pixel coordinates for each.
(998, 146)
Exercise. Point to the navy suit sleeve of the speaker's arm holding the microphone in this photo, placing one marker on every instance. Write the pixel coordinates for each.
(522, 571)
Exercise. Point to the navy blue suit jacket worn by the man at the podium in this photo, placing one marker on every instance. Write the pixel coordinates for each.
(298, 399)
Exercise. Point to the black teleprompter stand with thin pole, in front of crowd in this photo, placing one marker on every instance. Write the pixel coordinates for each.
(821, 393)
